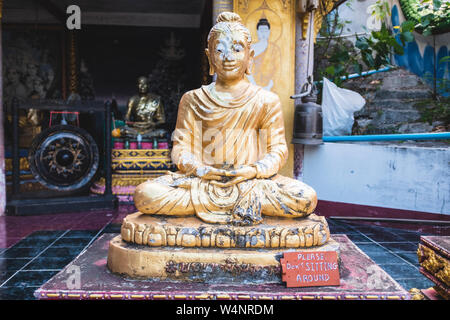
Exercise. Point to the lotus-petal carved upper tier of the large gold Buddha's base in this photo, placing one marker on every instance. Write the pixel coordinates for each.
(156, 231)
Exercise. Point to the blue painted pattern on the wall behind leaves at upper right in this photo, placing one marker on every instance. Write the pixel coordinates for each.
(424, 65)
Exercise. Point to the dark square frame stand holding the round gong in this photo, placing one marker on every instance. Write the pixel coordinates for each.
(62, 201)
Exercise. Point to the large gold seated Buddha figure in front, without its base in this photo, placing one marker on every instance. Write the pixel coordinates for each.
(229, 144)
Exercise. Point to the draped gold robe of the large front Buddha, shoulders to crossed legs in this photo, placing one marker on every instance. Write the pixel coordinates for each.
(248, 130)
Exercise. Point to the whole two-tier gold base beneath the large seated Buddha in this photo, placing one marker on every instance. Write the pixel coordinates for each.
(187, 249)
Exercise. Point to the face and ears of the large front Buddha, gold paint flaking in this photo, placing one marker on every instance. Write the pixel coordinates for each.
(229, 55)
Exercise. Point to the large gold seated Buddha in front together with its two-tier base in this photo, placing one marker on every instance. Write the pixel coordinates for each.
(228, 145)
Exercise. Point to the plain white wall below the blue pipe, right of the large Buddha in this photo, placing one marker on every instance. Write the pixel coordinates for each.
(399, 177)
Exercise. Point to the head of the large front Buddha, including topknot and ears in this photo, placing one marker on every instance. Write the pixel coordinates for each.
(229, 48)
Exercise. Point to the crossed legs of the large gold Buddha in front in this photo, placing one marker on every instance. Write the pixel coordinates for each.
(278, 197)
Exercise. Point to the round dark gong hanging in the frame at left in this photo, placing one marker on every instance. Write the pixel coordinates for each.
(63, 158)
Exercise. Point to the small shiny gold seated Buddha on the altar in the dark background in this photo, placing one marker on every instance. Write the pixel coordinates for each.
(144, 114)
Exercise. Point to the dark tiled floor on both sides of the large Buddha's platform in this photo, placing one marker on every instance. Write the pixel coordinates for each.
(33, 249)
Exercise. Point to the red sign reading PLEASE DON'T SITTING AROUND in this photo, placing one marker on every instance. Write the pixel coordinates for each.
(310, 269)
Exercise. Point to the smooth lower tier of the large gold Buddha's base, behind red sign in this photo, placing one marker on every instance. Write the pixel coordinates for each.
(200, 264)
